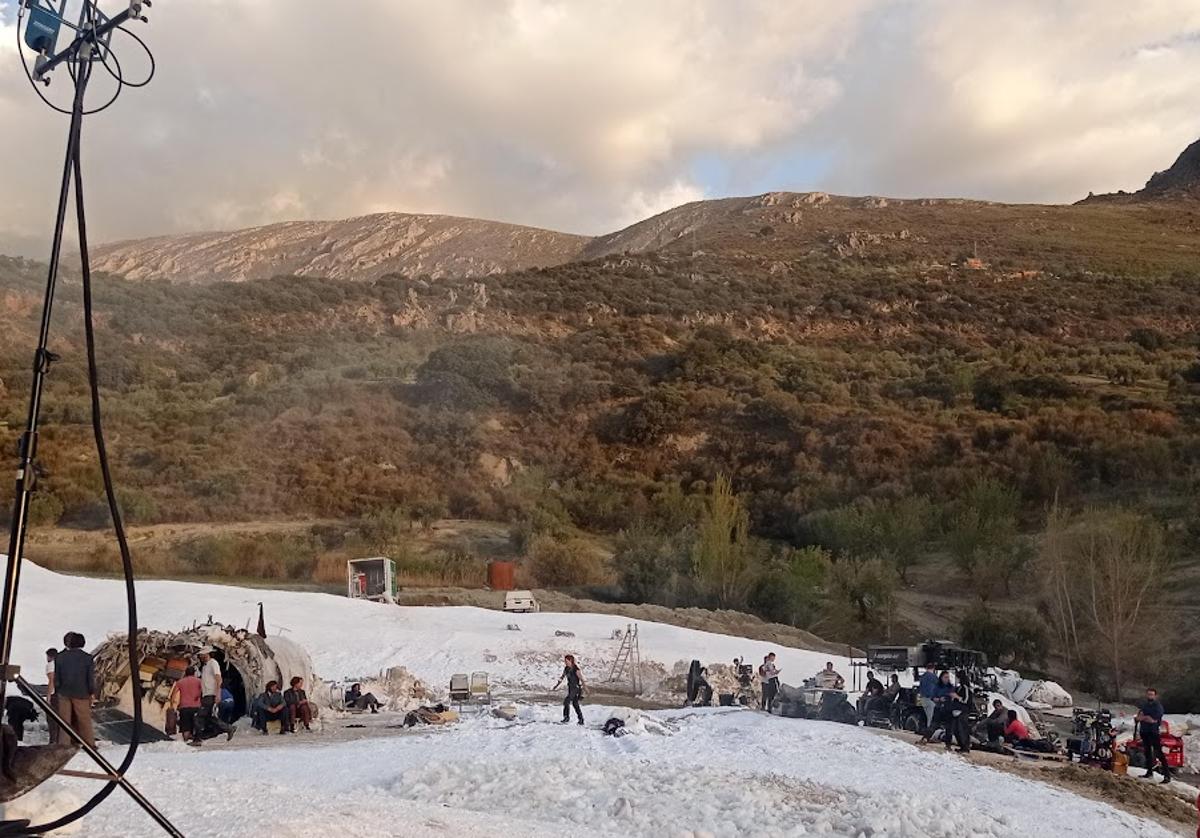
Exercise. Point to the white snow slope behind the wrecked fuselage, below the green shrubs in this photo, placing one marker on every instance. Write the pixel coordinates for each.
(350, 639)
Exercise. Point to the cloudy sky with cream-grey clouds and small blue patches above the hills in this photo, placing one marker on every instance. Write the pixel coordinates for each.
(585, 116)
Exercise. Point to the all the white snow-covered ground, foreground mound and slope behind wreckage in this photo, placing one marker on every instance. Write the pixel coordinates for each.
(722, 773)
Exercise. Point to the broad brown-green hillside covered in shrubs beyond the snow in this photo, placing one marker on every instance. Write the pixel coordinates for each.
(883, 384)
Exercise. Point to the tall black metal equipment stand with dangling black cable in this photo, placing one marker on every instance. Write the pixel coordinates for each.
(81, 57)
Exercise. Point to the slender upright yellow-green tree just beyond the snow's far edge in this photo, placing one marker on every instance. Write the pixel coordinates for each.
(722, 555)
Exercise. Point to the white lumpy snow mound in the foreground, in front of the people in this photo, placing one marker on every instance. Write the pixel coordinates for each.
(724, 773)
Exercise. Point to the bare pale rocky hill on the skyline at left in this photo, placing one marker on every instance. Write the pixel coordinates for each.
(355, 249)
